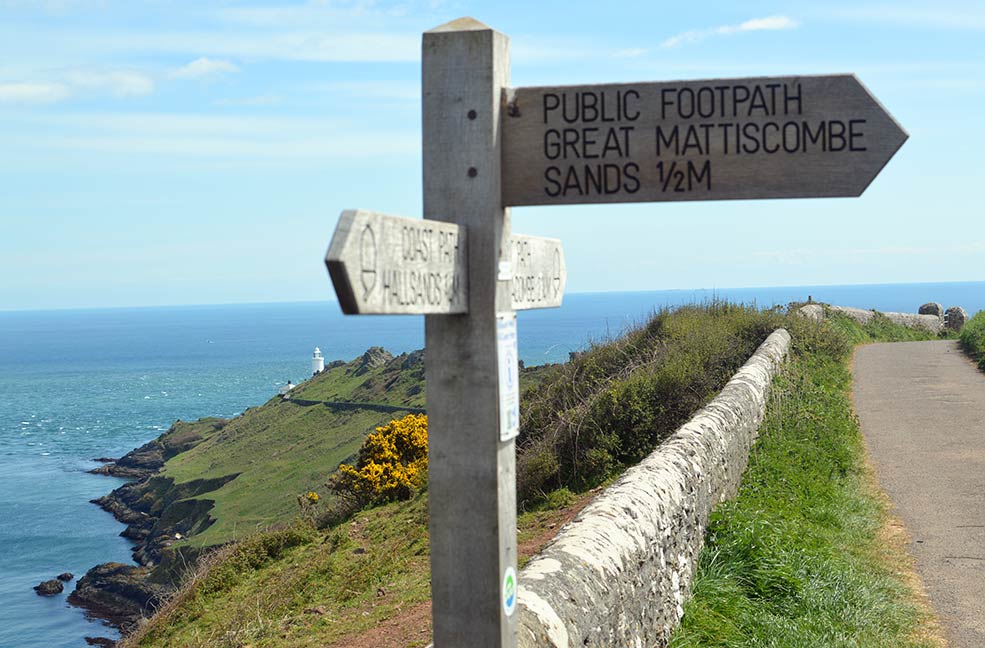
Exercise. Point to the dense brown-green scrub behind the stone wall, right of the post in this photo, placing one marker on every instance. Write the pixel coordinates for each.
(613, 404)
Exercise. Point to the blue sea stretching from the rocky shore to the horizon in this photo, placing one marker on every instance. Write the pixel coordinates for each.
(76, 385)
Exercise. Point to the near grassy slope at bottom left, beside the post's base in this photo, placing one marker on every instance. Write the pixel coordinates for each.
(298, 587)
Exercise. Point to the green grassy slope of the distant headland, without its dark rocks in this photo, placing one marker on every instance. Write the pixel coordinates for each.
(267, 456)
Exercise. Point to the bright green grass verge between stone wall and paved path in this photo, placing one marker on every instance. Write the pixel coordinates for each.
(797, 559)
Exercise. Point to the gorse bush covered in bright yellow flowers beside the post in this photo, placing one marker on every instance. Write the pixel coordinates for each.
(392, 465)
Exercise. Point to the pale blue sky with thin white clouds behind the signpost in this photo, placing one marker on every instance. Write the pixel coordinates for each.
(165, 152)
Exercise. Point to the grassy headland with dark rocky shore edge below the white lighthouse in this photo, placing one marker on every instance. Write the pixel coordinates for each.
(205, 483)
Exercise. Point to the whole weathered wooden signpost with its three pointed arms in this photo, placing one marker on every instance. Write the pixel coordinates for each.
(487, 147)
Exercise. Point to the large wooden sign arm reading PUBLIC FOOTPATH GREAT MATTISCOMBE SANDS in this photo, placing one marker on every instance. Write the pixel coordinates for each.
(721, 139)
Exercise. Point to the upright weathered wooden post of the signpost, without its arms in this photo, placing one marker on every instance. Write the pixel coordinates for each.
(472, 465)
